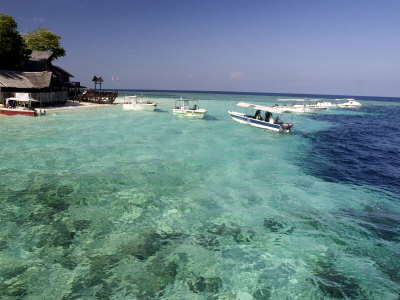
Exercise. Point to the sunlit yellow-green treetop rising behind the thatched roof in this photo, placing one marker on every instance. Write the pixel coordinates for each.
(43, 39)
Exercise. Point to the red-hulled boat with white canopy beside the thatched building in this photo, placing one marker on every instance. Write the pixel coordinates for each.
(21, 104)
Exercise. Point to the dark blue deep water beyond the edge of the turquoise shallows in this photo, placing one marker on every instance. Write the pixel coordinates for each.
(359, 149)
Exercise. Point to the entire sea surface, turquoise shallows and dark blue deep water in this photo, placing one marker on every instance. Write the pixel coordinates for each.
(101, 203)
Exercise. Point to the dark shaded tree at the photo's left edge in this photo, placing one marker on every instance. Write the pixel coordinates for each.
(12, 50)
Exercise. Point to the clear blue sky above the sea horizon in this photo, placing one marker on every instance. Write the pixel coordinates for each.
(341, 47)
